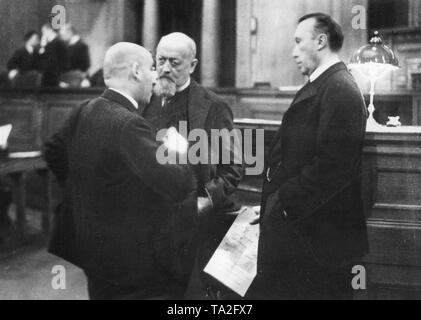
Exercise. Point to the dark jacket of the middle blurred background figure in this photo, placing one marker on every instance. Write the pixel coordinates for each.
(53, 62)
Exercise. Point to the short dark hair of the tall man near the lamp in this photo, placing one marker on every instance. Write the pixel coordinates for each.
(325, 24)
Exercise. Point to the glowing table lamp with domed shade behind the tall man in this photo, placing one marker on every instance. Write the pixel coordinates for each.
(373, 61)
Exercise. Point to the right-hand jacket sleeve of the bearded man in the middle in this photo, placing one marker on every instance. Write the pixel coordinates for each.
(228, 176)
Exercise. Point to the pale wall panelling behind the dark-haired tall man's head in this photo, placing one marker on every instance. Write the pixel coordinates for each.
(267, 55)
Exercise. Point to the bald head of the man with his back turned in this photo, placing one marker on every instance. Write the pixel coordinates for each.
(128, 67)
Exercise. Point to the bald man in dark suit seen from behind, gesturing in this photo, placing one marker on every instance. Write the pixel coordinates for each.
(116, 221)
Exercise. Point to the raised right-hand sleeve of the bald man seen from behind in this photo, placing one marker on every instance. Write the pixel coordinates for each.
(138, 147)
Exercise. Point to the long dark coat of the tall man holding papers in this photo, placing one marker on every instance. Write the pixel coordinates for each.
(315, 162)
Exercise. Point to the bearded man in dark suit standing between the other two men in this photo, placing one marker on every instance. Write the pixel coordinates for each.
(180, 99)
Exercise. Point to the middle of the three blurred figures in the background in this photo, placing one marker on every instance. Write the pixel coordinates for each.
(53, 57)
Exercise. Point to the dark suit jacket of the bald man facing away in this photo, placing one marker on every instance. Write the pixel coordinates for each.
(120, 197)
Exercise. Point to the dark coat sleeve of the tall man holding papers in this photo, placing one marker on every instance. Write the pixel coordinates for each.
(338, 152)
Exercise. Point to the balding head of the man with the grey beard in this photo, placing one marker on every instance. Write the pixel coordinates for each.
(175, 62)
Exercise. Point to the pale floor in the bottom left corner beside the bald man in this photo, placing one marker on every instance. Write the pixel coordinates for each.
(26, 270)
